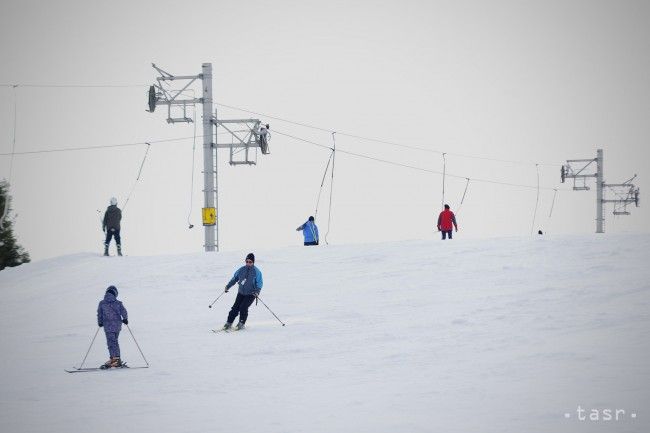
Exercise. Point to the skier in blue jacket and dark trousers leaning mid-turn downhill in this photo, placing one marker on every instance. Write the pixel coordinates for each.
(249, 278)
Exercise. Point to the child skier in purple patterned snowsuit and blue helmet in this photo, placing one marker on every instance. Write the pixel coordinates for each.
(111, 314)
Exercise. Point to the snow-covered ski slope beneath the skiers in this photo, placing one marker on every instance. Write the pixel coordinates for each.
(498, 335)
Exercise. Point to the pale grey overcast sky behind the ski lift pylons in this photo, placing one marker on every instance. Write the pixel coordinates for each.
(530, 81)
